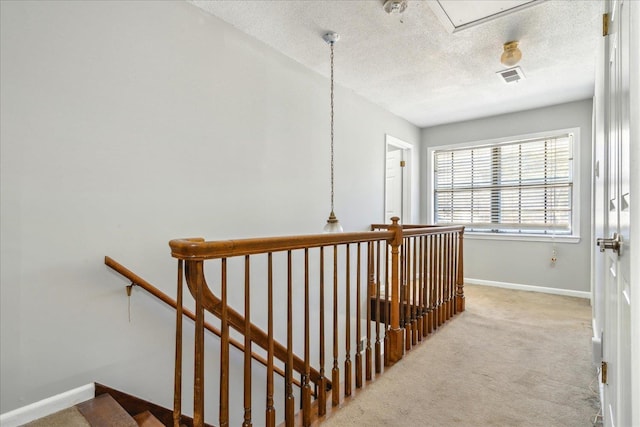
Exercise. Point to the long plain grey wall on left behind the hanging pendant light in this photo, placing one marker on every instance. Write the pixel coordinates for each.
(127, 124)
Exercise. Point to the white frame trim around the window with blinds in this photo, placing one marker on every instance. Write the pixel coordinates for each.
(574, 237)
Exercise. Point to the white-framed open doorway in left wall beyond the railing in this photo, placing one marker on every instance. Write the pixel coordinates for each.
(398, 163)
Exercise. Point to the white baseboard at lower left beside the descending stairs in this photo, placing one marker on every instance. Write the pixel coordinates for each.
(47, 406)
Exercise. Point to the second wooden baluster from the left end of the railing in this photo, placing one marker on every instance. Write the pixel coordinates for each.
(198, 371)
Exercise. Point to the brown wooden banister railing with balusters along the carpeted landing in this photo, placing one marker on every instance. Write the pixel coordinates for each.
(407, 279)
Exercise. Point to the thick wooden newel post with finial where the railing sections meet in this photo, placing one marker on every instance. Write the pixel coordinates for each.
(396, 334)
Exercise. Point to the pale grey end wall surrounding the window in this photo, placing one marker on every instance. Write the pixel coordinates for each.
(517, 262)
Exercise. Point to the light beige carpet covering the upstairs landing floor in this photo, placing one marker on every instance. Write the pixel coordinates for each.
(513, 358)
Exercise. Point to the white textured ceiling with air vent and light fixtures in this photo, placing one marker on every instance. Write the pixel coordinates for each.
(420, 71)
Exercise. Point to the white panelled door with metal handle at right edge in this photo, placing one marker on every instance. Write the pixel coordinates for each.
(615, 285)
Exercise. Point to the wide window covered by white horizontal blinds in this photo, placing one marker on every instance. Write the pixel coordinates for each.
(519, 187)
